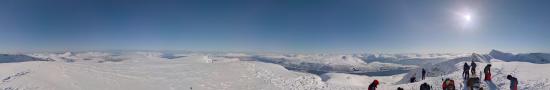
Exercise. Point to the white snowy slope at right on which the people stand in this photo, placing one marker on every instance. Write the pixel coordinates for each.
(531, 77)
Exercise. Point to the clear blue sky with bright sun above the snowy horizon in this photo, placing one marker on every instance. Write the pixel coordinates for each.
(387, 26)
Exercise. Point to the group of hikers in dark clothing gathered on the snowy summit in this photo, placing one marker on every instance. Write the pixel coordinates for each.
(448, 84)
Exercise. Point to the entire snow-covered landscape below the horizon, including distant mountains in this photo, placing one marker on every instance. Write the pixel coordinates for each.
(248, 71)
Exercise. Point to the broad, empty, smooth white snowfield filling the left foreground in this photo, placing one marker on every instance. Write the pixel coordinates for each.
(146, 74)
